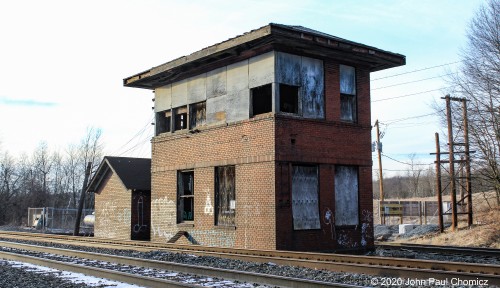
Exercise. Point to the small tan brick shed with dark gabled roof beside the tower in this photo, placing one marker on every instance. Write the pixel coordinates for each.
(122, 188)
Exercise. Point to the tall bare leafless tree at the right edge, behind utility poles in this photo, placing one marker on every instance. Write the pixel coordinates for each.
(478, 80)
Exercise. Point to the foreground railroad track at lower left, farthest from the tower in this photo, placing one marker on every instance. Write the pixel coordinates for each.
(137, 278)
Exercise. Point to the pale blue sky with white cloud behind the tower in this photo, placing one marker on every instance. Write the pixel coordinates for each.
(62, 62)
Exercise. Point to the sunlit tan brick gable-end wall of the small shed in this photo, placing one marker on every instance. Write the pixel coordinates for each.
(112, 209)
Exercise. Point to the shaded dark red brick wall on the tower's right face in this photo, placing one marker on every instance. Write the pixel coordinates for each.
(326, 143)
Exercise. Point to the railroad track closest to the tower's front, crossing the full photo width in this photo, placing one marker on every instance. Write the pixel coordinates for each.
(377, 266)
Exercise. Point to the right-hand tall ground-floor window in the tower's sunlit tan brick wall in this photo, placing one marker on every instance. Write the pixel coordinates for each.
(225, 196)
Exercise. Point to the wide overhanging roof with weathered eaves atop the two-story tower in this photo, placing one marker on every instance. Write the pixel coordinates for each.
(292, 39)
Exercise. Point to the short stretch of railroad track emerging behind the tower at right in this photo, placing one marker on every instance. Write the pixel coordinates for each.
(472, 251)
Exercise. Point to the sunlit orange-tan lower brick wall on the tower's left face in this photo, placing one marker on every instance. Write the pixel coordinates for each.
(249, 145)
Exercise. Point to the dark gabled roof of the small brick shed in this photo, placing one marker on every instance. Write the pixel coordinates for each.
(135, 173)
